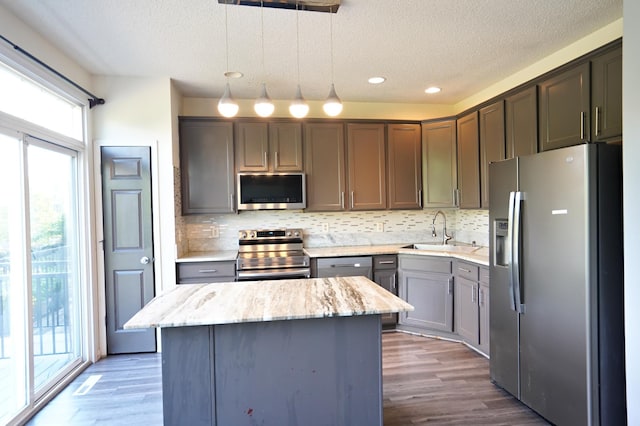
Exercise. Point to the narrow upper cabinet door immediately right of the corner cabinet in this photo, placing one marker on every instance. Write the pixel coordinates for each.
(468, 162)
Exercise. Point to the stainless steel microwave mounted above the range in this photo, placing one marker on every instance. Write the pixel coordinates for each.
(271, 191)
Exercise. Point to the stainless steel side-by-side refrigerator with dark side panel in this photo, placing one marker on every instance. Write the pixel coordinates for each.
(556, 276)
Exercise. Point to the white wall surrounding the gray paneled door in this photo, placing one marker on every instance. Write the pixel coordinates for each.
(141, 112)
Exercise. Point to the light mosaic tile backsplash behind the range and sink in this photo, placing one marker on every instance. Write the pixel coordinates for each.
(220, 232)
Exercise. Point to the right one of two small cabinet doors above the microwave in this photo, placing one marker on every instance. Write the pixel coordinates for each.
(285, 147)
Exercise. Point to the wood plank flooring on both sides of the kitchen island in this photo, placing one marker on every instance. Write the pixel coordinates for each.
(426, 381)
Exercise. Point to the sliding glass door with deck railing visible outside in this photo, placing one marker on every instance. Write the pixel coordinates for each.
(40, 289)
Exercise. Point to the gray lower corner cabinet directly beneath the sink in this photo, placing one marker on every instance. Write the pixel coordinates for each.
(427, 284)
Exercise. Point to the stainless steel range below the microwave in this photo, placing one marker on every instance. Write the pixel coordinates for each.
(269, 254)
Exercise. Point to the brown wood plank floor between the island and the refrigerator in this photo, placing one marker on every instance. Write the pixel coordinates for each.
(437, 382)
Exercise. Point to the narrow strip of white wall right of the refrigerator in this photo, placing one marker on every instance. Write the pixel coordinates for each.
(631, 158)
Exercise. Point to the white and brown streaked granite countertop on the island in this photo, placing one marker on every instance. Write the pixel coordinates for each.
(257, 301)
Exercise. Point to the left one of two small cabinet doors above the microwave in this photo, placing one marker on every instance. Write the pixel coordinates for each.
(252, 147)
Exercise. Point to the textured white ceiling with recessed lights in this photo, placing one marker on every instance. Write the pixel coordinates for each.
(462, 46)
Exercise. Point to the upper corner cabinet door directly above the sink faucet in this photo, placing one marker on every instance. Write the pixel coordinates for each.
(440, 179)
